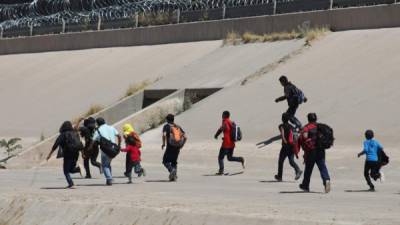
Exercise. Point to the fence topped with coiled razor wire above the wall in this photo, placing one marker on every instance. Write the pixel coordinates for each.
(59, 16)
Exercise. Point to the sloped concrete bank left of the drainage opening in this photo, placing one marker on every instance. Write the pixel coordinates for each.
(40, 91)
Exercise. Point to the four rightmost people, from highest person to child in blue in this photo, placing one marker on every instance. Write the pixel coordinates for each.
(315, 138)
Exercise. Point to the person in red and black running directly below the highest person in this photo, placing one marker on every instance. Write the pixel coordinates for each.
(288, 149)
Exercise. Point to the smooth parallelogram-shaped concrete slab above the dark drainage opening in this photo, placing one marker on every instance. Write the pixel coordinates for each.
(228, 65)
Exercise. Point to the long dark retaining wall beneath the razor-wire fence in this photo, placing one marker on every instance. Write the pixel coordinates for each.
(338, 19)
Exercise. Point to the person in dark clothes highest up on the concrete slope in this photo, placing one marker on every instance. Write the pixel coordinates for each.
(294, 97)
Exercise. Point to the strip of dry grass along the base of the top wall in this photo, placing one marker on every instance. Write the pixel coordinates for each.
(308, 34)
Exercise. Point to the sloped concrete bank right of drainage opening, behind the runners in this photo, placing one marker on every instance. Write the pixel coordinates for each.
(351, 79)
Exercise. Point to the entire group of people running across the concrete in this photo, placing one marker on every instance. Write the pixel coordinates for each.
(314, 138)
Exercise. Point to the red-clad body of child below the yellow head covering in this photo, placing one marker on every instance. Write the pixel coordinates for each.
(134, 159)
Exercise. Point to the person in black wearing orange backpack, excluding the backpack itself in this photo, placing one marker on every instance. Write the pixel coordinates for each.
(170, 158)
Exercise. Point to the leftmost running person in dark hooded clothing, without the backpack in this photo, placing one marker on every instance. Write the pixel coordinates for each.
(70, 156)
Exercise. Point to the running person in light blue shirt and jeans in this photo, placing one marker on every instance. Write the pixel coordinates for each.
(111, 134)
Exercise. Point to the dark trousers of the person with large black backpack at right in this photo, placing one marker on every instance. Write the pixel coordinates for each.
(316, 156)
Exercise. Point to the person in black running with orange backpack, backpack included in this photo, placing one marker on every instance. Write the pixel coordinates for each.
(173, 138)
